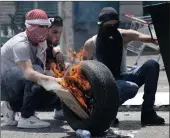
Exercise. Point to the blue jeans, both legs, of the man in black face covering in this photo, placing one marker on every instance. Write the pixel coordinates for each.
(147, 75)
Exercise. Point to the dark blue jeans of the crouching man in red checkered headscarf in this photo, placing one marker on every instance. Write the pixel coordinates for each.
(24, 95)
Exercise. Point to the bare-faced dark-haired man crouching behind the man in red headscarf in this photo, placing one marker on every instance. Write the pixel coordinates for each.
(54, 53)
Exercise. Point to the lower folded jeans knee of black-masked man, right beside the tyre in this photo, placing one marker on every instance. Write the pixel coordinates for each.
(127, 90)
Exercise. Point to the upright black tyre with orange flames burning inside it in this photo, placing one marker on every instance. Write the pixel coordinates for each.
(96, 93)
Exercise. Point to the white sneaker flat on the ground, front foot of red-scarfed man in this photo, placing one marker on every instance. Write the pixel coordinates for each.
(32, 122)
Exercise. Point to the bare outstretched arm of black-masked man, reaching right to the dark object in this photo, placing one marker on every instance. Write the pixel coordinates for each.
(132, 35)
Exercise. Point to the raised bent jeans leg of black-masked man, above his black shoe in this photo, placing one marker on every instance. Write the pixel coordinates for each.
(146, 74)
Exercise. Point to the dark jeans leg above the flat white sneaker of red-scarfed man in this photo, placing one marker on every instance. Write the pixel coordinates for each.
(37, 98)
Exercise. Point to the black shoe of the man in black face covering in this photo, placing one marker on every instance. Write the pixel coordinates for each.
(151, 118)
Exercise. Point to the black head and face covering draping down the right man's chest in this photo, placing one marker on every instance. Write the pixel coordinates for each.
(109, 44)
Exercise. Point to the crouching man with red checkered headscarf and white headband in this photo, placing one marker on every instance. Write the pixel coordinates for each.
(24, 86)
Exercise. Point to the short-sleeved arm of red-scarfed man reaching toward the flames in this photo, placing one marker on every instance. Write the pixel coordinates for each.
(22, 58)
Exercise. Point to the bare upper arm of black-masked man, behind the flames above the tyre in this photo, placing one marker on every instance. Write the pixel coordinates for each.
(88, 49)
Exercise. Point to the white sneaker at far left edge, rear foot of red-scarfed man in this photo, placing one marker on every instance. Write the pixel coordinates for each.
(8, 114)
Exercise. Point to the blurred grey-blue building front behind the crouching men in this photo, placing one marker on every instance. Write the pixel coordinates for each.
(80, 18)
